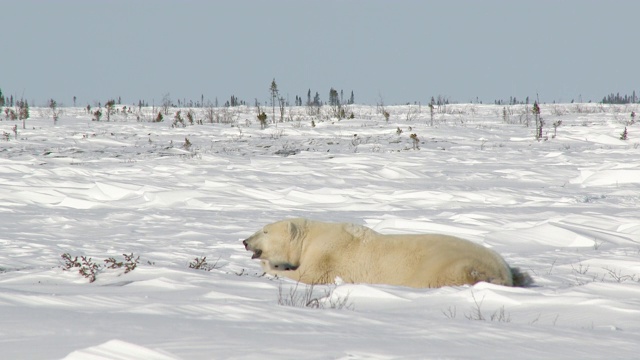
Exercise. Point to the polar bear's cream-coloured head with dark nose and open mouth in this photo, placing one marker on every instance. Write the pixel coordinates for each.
(278, 245)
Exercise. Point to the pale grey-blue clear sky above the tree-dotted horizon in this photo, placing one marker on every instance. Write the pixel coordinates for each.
(393, 52)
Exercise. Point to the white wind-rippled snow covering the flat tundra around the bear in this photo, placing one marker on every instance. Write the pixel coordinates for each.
(567, 210)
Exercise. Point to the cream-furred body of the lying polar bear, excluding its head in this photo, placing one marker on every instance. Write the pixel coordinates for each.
(358, 254)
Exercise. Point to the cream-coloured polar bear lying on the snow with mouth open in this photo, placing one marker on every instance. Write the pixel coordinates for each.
(315, 252)
